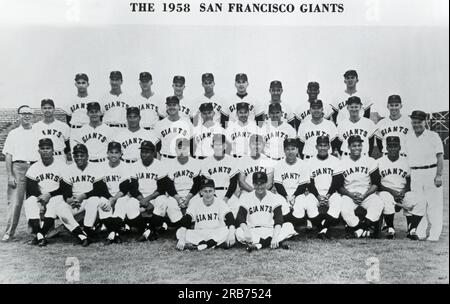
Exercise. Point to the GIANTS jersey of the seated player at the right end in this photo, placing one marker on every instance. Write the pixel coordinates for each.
(393, 174)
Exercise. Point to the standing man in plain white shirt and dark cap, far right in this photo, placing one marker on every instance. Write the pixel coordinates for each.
(426, 160)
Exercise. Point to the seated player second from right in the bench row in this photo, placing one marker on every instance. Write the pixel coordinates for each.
(361, 180)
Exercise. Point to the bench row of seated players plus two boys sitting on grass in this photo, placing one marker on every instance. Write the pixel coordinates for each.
(264, 212)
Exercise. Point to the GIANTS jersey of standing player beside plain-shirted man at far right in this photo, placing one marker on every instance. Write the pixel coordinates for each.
(388, 127)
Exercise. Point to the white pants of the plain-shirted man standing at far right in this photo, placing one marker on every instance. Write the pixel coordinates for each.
(432, 198)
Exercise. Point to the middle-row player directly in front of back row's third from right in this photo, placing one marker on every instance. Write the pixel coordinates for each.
(275, 131)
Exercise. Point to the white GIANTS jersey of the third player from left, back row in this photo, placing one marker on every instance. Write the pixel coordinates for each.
(150, 109)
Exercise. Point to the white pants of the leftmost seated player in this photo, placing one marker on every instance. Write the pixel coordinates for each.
(55, 208)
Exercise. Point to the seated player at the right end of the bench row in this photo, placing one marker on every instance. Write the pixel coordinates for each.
(395, 189)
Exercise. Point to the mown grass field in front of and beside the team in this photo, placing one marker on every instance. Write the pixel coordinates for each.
(308, 261)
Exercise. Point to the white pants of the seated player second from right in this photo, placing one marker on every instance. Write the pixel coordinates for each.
(373, 204)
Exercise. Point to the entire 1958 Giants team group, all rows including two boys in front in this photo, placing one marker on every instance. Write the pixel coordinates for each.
(220, 171)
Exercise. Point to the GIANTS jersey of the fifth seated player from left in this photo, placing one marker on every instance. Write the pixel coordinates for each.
(182, 175)
